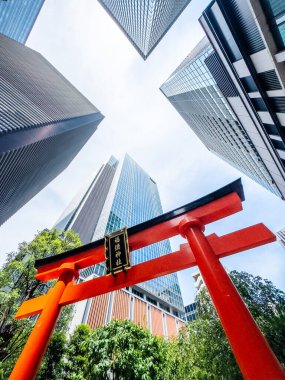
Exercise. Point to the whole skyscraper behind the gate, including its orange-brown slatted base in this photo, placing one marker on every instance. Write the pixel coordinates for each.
(123, 194)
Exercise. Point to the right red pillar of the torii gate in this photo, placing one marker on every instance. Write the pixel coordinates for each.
(252, 352)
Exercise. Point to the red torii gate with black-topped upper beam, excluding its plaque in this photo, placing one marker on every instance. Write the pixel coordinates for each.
(252, 352)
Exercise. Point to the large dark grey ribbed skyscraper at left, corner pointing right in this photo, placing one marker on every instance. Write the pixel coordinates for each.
(44, 122)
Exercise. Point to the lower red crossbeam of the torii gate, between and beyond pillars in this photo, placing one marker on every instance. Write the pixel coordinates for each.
(234, 242)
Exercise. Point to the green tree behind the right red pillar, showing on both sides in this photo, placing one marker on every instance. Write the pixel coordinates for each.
(202, 350)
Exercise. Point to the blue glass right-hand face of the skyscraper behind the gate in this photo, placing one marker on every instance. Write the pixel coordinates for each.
(137, 200)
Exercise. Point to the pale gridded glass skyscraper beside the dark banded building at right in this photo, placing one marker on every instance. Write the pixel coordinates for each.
(204, 94)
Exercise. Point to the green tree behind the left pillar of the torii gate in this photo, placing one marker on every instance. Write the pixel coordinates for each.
(18, 283)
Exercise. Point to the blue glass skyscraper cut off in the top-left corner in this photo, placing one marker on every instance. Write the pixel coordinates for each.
(17, 17)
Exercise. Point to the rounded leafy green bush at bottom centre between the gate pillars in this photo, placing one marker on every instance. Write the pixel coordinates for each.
(120, 350)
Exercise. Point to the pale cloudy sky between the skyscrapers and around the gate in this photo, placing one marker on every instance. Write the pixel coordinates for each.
(89, 49)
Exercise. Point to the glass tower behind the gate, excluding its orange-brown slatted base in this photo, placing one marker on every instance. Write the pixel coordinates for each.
(123, 194)
